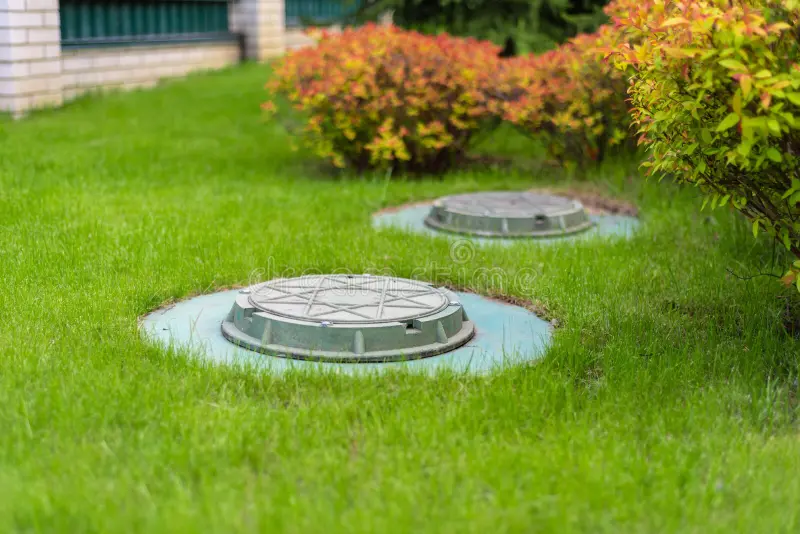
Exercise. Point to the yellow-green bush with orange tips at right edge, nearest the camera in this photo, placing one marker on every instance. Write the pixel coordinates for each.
(716, 99)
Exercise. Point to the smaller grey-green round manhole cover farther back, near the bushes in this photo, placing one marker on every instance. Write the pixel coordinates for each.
(508, 214)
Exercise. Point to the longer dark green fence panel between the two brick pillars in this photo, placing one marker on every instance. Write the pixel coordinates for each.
(95, 22)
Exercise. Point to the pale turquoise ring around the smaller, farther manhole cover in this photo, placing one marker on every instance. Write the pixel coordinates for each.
(412, 219)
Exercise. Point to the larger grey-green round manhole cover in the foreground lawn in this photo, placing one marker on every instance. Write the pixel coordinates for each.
(348, 318)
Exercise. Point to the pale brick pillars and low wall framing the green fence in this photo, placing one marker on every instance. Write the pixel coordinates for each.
(34, 71)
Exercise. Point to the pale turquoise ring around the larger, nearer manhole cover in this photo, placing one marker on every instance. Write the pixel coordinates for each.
(507, 335)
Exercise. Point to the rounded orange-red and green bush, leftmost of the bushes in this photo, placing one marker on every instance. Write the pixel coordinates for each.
(379, 96)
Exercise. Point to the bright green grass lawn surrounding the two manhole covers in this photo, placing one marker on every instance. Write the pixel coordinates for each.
(667, 402)
